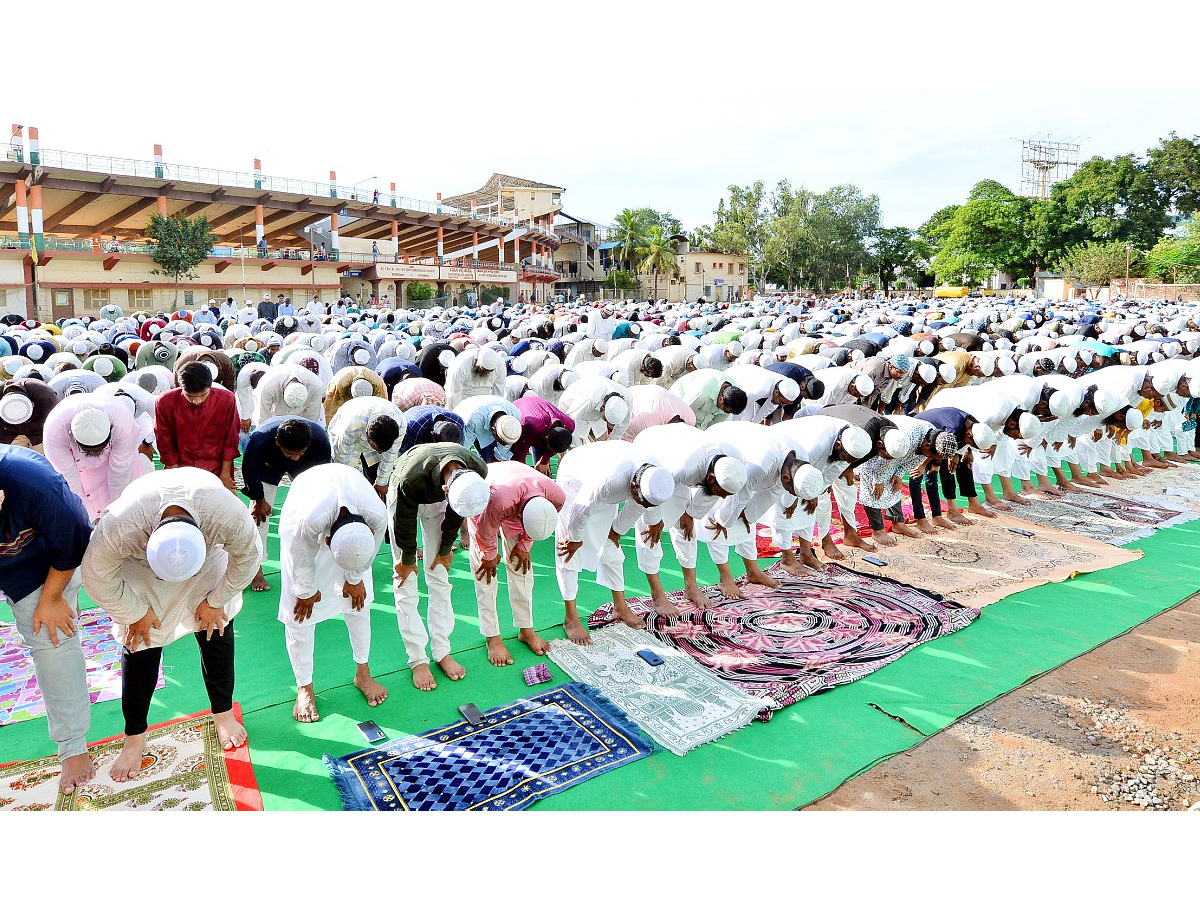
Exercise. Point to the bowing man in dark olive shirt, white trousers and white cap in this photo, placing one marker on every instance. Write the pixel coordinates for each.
(439, 485)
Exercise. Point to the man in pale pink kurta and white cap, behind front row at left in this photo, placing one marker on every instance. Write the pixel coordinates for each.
(93, 441)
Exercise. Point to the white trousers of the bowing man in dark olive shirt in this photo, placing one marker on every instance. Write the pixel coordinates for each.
(437, 585)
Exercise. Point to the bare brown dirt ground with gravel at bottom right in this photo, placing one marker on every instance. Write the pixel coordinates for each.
(1118, 729)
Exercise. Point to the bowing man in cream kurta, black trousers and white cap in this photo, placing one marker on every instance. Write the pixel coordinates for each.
(196, 591)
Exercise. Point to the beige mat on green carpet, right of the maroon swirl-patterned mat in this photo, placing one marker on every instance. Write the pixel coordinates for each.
(986, 562)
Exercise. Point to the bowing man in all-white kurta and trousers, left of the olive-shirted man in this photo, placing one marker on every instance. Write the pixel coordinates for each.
(331, 531)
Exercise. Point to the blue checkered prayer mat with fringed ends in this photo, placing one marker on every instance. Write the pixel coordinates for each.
(520, 753)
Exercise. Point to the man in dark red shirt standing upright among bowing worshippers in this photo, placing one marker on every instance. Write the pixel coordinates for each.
(197, 424)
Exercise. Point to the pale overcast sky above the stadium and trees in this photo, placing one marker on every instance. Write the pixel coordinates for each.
(622, 104)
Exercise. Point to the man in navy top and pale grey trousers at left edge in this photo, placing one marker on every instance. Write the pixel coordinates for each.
(44, 535)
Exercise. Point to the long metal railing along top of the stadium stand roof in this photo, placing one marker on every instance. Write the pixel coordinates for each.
(249, 181)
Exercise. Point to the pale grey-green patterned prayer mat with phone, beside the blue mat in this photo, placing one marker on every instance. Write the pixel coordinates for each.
(679, 704)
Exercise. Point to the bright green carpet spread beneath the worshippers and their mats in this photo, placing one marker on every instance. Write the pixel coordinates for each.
(806, 752)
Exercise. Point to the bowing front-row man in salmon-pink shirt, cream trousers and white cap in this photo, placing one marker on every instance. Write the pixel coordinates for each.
(525, 507)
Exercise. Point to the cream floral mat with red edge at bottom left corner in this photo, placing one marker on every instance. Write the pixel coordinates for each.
(184, 769)
